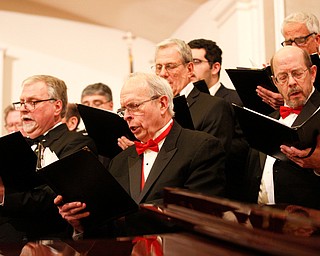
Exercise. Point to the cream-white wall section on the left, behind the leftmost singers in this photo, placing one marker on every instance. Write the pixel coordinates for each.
(77, 53)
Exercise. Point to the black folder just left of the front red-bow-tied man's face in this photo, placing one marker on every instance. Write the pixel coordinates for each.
(104, 127)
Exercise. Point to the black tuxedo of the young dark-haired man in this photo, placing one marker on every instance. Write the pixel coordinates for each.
(236, 159)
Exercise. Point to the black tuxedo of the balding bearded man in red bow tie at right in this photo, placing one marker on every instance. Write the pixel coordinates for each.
(292, 184)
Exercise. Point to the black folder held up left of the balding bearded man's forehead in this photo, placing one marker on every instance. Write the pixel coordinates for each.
(246, 80)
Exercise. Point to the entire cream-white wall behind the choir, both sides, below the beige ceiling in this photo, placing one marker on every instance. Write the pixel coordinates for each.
(81, 54)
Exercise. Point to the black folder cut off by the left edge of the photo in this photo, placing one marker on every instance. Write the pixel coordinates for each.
(18, 163)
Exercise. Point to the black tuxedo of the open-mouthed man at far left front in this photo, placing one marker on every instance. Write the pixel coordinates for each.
(33, 212)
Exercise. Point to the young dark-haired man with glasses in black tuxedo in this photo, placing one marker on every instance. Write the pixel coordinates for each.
(207, 60)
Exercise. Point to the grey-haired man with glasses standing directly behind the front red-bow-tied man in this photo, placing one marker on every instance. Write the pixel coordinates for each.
(173, 61)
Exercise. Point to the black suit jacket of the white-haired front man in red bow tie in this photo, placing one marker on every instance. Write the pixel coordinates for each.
(188, 159)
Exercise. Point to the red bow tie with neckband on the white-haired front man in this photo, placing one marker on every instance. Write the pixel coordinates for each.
(152, 145)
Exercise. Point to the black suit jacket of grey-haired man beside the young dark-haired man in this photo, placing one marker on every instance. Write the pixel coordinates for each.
(212, 115)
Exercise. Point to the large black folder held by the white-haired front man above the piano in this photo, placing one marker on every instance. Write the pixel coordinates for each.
(81, 177)
